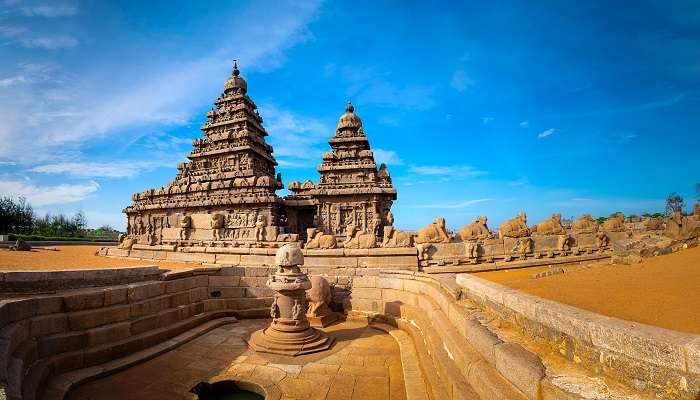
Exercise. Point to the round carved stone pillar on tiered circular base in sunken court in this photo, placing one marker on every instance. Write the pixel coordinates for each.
(289, 333)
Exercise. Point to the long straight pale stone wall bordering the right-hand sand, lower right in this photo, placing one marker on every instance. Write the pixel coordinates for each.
(661, 362)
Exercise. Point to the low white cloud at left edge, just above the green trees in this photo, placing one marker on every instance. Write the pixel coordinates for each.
(39, 196)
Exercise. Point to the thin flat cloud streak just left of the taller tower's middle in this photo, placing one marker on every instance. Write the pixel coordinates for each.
(103, 170)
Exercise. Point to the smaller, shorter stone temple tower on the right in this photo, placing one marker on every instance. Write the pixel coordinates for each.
(352, 191)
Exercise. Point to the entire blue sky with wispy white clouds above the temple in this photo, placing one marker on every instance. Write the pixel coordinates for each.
(478, 108)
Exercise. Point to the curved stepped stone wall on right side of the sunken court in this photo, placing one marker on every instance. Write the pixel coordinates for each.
(460, 357)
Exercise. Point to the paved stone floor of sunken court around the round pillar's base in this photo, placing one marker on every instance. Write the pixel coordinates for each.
(364, 363)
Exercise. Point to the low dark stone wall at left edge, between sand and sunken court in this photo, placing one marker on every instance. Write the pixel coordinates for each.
(49, 281)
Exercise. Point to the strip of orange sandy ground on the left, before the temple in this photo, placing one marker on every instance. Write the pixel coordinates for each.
(71, 257)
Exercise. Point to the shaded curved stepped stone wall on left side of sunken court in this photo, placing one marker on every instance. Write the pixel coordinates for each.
(45, 337)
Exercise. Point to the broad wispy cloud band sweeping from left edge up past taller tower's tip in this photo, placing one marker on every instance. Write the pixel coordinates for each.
(155, 95)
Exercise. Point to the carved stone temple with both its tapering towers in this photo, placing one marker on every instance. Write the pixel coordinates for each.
(225, 194)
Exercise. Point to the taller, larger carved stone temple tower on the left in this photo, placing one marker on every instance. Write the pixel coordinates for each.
(226, 191)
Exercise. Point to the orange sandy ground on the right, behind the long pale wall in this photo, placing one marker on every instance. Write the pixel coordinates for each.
(662, 291)
